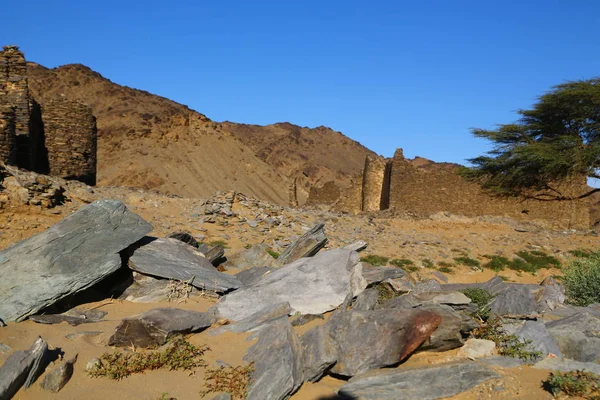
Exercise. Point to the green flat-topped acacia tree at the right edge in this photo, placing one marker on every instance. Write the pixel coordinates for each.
(558, 139)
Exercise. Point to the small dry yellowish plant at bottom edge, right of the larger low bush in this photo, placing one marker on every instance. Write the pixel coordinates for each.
(232, 380)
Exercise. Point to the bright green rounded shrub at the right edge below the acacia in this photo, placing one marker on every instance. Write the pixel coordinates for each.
(582, 281)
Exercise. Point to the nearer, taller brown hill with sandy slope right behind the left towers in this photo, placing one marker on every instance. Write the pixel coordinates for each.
(151, 142)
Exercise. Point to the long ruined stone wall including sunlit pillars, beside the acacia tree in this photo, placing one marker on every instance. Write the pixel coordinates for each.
(422, 187)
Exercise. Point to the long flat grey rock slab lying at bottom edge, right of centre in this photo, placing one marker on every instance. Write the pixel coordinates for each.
(418, 384)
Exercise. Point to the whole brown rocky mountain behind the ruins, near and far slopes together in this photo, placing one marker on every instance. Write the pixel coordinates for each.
(151, 142)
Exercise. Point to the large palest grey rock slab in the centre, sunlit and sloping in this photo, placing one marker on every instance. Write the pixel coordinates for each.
(311, 285)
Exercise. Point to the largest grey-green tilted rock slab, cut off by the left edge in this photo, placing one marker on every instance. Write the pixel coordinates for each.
(71, 256)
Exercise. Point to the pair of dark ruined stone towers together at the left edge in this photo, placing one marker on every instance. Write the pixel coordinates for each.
(58, 137)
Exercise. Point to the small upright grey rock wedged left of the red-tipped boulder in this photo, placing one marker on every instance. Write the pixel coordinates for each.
(318, 353)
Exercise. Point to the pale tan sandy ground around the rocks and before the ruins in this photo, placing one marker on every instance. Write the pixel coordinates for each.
(437, 240)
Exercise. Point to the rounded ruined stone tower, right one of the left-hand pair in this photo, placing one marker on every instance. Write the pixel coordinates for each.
(71, 139)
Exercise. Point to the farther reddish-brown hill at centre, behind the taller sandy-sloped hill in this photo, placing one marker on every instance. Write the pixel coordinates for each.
(315, 155)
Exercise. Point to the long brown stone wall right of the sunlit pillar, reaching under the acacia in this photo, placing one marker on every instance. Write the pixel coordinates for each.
(435, 187)
